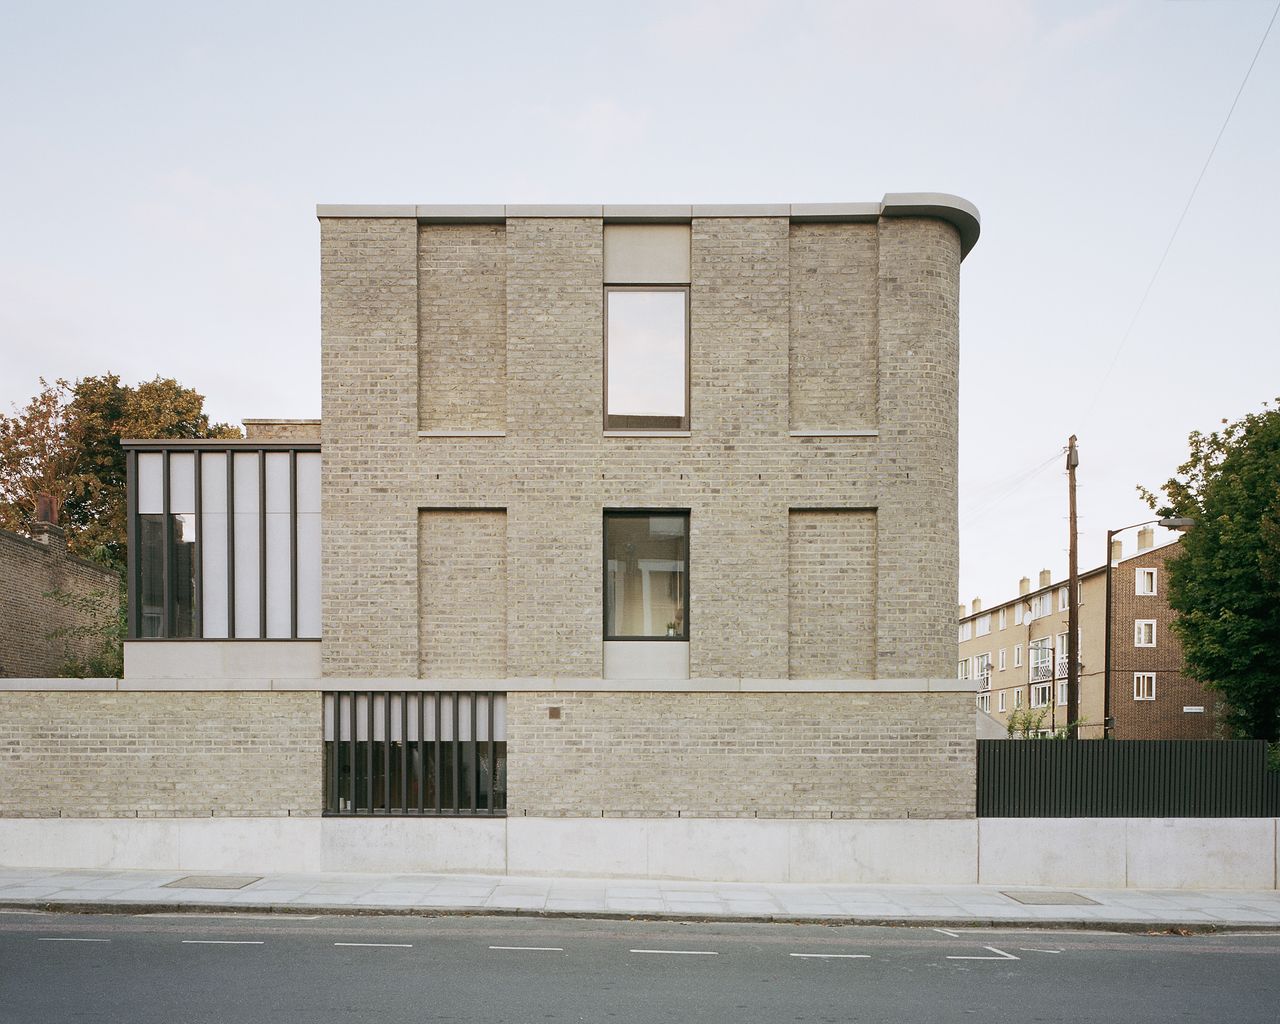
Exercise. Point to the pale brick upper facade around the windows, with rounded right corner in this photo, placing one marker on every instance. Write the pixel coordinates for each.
(739, 474)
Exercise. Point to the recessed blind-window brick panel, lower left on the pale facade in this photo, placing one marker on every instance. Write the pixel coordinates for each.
(463, 580)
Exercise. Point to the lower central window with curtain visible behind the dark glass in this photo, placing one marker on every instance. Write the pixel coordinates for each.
(646, 575)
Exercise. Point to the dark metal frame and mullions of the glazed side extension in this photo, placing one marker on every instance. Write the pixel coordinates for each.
(168, 449)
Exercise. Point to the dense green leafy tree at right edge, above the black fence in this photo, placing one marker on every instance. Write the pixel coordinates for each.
(1226, 582)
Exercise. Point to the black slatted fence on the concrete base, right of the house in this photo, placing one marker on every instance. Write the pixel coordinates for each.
(1126, 779)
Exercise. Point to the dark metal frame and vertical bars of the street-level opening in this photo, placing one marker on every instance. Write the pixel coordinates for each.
(363, 803)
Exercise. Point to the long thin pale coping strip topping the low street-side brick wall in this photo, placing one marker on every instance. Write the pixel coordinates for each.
(524, 684)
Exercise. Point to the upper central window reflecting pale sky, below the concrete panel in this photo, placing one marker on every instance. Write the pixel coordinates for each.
(647, 359)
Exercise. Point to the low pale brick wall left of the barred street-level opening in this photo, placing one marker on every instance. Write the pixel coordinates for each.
(159, 755)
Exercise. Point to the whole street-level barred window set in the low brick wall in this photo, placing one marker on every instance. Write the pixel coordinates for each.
(399, 753)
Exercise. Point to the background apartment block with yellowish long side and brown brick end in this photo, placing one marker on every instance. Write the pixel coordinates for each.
(1016, 653)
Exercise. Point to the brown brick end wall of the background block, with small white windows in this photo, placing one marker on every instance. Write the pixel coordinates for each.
(1164, 717)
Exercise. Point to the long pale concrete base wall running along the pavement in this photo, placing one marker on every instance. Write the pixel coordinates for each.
(1140, 853)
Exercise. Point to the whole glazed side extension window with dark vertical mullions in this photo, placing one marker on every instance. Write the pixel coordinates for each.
(225, 541)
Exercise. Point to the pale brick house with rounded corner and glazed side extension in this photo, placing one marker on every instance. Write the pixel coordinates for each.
(633, 515)
